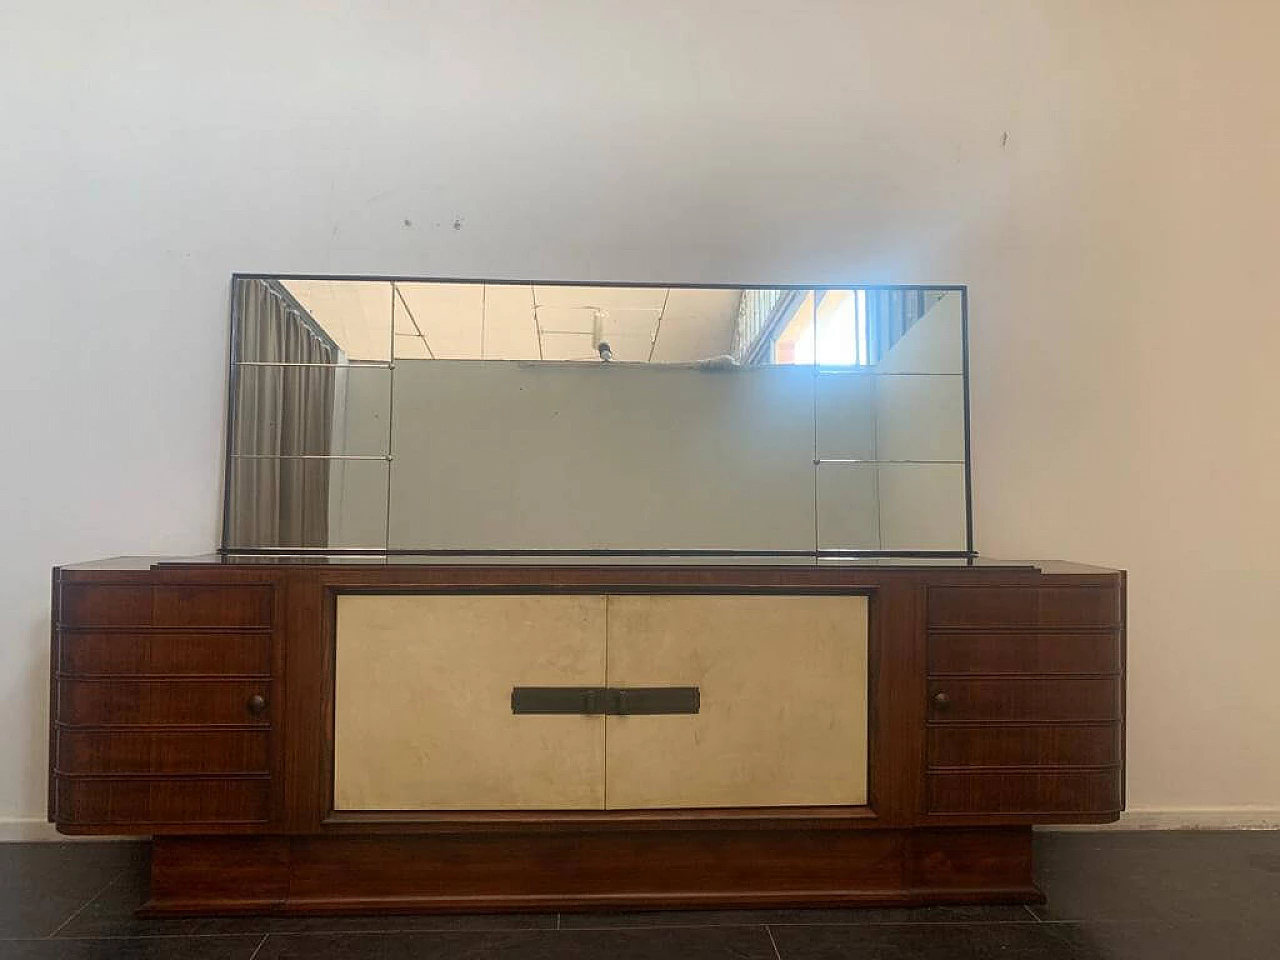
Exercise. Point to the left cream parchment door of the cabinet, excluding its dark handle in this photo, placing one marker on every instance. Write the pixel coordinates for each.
(423, 715)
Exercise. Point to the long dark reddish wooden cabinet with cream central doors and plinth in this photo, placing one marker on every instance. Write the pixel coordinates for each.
(465, 735)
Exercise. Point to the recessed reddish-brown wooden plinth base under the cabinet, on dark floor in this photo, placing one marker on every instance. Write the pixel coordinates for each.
(643, 870)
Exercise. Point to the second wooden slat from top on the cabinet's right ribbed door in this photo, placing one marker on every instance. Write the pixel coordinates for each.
(1025, 653)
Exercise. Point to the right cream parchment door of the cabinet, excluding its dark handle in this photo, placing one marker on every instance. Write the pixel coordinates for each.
(784, 702)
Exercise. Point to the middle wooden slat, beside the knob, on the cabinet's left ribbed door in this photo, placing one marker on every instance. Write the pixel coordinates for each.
(124, 702)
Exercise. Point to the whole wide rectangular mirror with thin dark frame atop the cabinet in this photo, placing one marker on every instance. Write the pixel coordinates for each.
(418, 417)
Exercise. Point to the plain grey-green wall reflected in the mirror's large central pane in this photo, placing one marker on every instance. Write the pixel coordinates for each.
(601, 456)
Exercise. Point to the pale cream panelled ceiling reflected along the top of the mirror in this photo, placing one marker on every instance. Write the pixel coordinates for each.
(520, 322)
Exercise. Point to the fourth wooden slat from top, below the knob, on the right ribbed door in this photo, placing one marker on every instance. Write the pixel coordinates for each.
(1040, 746)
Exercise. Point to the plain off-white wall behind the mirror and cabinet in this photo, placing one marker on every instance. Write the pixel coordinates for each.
(1105, 176)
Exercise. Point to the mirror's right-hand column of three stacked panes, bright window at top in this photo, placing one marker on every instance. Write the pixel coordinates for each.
(892, 422)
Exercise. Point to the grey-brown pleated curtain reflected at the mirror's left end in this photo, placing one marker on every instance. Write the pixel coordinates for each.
(281, 412)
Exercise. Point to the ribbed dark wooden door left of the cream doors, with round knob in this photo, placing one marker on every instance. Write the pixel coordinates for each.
(162, 706)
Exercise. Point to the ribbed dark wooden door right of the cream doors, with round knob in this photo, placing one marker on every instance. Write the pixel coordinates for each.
(1025, 703)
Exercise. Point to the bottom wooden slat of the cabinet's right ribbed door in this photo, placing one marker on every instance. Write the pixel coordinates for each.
(1025, 793)
